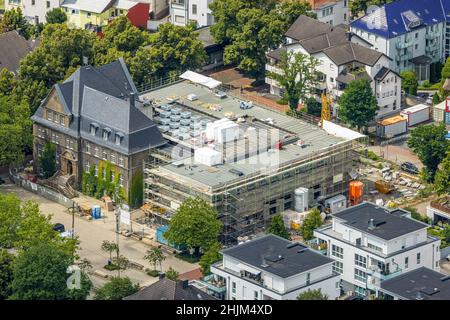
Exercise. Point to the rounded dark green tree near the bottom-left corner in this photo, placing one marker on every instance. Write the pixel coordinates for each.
(39, 273)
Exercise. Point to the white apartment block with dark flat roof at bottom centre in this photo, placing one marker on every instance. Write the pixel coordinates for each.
(273, 268)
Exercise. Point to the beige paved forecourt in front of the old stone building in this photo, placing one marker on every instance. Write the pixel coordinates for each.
(91, 235)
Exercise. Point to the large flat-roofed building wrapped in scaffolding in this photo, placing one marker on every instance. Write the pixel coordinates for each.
(245, 160)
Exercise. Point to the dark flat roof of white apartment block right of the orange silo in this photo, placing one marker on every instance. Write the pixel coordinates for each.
(387, 225)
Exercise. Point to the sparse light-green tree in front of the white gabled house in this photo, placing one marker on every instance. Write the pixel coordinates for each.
(297, 76)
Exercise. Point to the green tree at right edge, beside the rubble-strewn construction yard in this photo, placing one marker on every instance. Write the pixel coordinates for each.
(429, 144)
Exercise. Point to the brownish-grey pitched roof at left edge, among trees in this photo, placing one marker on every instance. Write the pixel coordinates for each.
(13, 47)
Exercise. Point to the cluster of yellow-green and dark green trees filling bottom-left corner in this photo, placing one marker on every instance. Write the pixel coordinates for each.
(34, 259)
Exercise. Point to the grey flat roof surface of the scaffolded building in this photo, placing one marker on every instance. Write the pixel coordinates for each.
(315, 138)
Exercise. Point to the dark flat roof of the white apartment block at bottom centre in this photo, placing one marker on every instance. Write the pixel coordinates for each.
(263, 253)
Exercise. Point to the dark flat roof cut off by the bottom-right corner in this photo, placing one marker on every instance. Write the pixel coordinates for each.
(419, 284)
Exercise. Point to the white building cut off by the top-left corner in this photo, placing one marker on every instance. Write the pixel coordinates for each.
(33, 8)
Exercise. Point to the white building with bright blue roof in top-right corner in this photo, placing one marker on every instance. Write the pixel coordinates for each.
(414, 34)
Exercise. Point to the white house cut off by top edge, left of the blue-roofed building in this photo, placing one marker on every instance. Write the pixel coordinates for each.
(333, 12)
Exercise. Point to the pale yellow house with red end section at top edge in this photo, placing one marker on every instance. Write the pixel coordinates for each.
(87, 14)
